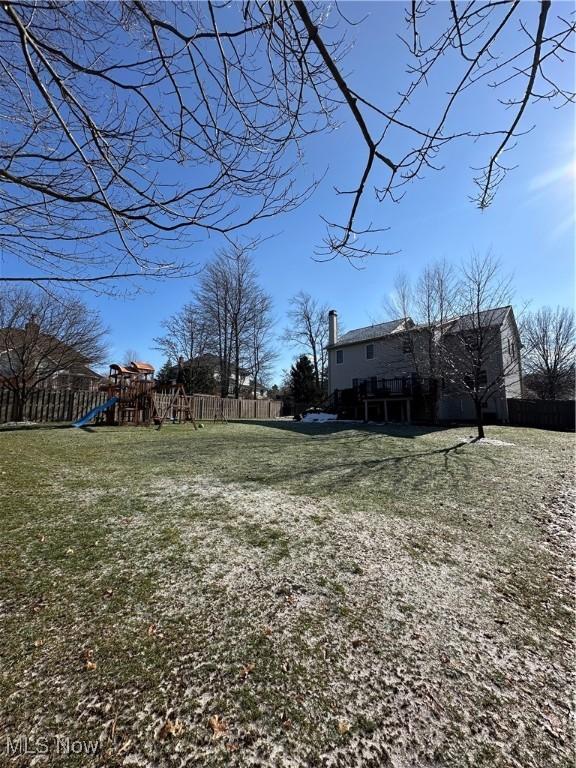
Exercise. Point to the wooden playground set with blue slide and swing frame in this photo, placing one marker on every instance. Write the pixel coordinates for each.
(134, 400)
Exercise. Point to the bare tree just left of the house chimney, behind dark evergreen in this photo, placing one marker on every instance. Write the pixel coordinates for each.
(308, 332)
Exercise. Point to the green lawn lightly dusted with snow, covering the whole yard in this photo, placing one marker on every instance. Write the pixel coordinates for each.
(286, 595)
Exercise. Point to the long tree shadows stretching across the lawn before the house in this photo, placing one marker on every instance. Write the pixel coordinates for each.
(335, 456)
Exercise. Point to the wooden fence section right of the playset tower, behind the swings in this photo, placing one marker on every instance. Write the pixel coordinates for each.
(210, 407)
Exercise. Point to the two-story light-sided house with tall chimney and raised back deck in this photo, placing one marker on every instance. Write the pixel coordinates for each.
(381, 372)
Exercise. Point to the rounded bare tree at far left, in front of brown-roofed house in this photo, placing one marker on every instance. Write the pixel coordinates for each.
(42, 337)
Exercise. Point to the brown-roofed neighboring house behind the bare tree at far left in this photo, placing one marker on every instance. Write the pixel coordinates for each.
(49, 363)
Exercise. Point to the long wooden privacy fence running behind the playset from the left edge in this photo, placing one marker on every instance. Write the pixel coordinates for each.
(67, 405)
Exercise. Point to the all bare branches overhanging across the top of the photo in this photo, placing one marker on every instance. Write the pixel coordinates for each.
(126, 124)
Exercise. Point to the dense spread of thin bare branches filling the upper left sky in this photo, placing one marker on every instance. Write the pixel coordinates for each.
(126, 123)
